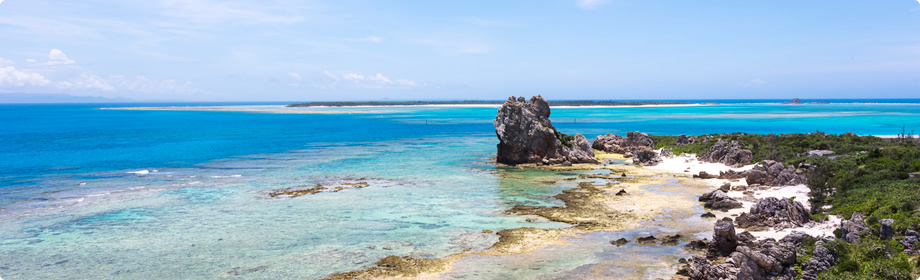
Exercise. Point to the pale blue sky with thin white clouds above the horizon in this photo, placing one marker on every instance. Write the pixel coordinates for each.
(277, 50)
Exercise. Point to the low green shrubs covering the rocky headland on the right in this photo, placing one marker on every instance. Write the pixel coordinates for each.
(868, 175)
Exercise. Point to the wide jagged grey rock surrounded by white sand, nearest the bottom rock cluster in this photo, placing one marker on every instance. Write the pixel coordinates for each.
(776, 213)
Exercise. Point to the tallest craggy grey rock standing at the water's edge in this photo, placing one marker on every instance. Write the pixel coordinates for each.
(526, 135)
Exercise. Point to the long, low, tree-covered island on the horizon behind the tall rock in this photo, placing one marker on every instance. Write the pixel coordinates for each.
(484, 102)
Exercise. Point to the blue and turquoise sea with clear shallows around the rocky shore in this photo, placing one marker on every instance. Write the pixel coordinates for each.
(92, 192)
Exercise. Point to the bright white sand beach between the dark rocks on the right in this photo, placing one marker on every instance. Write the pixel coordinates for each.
(688, 164)
